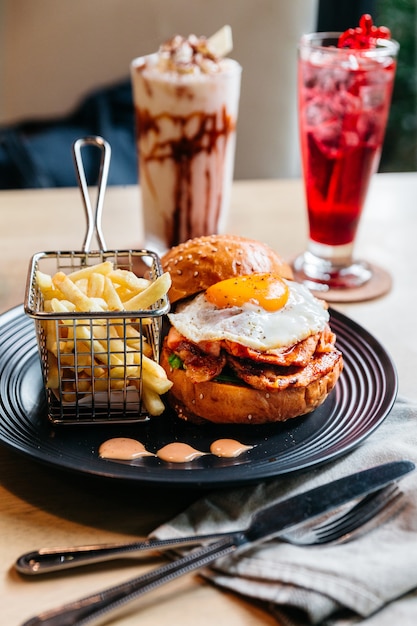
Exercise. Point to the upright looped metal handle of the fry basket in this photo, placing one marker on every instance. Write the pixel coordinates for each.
(93, 219)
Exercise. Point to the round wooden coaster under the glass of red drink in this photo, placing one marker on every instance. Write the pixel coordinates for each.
(378, 285)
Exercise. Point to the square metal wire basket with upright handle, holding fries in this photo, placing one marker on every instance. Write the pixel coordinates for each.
(93, 361)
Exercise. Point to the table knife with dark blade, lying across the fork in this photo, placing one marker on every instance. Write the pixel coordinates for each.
(265, 524)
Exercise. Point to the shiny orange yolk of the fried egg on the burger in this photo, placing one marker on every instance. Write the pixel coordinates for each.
(268, 291)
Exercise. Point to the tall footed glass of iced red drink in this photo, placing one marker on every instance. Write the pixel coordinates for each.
(344, 100)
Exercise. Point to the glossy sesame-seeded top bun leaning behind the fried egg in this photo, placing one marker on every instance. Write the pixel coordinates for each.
(201, 262)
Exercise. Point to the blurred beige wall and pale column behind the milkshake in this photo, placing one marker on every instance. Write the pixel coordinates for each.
(55, 53)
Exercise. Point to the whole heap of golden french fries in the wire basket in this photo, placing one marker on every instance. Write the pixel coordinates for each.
(101, 354)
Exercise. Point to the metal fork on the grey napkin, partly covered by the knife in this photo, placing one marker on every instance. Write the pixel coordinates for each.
(337, 529)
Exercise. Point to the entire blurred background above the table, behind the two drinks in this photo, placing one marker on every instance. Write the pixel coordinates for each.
(64, 73)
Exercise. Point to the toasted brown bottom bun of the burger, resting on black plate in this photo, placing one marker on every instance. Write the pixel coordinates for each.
(226, 403)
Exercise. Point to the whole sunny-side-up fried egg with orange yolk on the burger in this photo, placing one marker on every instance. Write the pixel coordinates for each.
(244, 312)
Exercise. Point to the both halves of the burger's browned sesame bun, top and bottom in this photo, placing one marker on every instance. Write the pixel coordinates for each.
(196, 265)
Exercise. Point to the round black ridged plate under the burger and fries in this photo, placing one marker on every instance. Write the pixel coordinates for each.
(359, 403)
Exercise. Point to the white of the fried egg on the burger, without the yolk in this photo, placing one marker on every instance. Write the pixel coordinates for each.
(249, 324)
